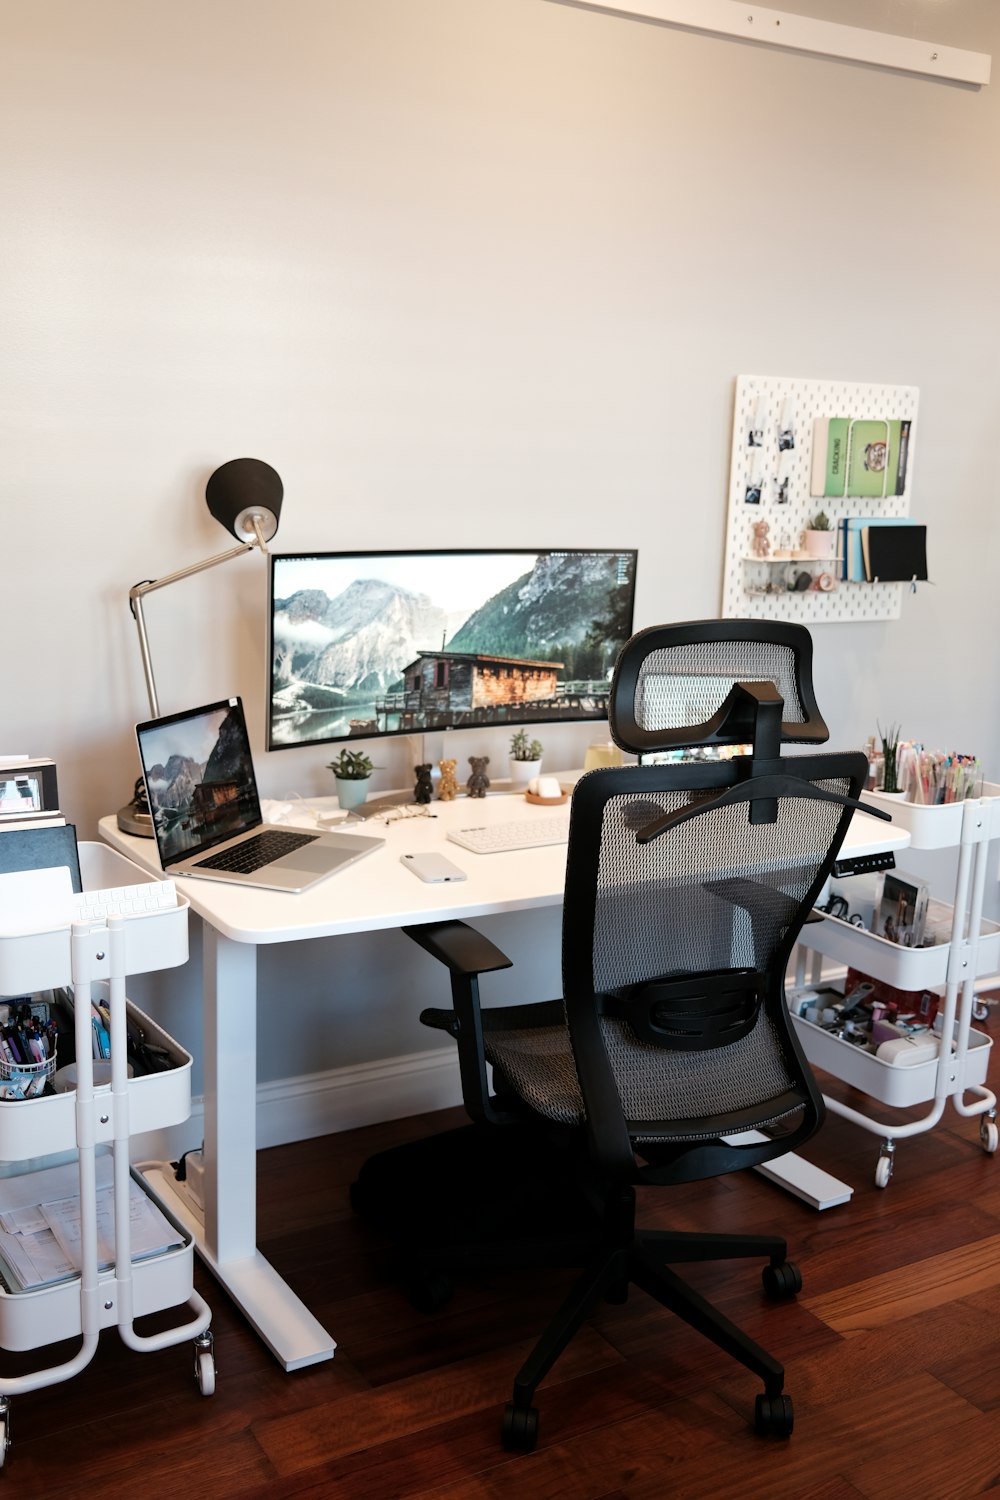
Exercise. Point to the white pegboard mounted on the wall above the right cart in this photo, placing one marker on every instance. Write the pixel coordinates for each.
(770, 401)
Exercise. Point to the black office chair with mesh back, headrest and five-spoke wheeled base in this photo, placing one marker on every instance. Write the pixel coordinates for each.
(671, 1057)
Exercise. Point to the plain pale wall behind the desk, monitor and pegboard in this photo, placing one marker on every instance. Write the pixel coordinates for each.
(466, 272)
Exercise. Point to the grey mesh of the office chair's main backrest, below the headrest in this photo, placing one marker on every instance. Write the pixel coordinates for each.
(714, 893)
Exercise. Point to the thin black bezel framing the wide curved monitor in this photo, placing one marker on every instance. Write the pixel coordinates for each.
(416, 553)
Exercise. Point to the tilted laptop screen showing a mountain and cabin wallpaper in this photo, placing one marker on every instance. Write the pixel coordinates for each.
(199, 778)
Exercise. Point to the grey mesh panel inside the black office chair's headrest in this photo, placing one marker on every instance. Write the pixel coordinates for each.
(686, 685)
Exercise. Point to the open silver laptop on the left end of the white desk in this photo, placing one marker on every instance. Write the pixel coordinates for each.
(208, 815)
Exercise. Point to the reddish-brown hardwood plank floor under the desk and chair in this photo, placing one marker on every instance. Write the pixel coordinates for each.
(893, 1357)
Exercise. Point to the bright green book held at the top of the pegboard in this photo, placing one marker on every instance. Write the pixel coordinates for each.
(860, 458)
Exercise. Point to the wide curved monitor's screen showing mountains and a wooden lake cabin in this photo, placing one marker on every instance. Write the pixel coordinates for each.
(367, 644)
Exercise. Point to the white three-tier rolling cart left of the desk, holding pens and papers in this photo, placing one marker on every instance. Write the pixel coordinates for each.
(94, 1126)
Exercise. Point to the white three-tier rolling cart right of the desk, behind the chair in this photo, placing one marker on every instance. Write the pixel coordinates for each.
(954, 967)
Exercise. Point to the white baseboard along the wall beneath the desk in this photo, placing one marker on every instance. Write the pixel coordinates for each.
(325, 1103)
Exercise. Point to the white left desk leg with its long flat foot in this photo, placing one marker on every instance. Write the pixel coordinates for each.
(227, 1241)
